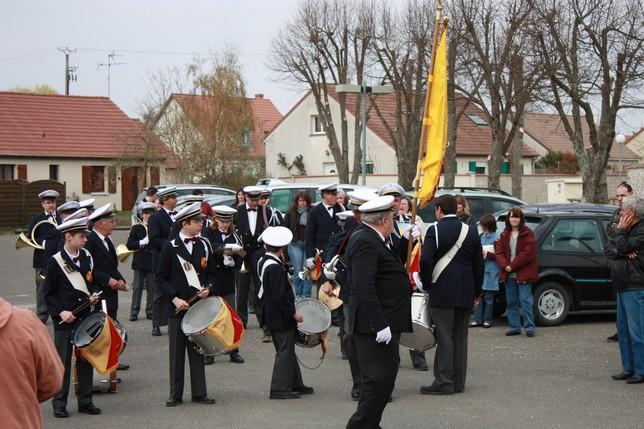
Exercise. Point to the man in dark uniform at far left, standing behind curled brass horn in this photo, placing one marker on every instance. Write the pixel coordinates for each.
(42, 233)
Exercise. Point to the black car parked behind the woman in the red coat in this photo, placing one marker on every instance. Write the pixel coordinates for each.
(571, 255)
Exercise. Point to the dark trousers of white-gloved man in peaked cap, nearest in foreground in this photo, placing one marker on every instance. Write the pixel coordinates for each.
(379, 364)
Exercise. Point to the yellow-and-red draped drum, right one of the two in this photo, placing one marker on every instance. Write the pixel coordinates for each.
(213, 326)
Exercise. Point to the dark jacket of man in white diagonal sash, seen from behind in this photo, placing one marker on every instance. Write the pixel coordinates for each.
(462, 279)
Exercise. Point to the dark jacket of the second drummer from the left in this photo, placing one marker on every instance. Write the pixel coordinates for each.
(170, 276)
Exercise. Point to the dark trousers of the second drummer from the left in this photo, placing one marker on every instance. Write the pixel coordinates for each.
(179, 344)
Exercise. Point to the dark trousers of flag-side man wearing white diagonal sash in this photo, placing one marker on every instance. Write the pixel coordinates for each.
(450, 361)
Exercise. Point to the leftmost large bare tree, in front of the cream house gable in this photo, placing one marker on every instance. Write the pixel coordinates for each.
(325, 43)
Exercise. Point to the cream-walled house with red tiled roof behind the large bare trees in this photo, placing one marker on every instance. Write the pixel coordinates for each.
(300, 132)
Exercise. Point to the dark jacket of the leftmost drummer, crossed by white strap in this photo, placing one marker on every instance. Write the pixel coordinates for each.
(59, 293)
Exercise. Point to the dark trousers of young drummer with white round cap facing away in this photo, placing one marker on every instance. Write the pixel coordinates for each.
(286, 371)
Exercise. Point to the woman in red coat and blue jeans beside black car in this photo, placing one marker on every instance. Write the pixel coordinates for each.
(516, 254)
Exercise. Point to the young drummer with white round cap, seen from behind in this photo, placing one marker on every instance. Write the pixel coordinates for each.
(280, 316)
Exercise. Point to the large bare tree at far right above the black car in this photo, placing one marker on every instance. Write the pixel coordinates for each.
(593, 52)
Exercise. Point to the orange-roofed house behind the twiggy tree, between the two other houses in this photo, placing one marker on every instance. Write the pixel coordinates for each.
(188, 110)
